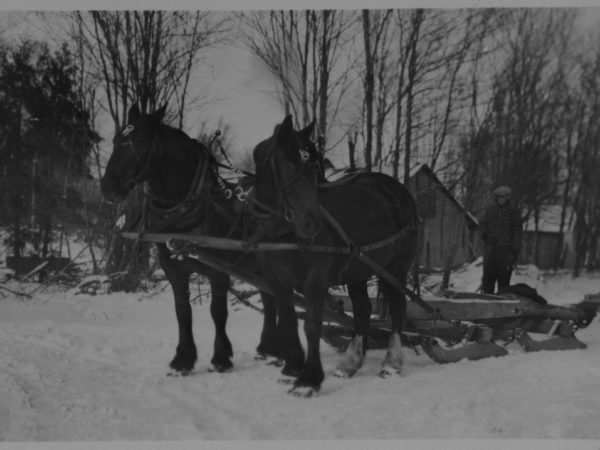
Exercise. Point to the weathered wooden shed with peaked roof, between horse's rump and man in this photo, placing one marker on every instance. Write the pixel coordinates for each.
(448, 231)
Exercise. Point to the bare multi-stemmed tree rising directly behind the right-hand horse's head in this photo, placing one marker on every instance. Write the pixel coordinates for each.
(307, 53)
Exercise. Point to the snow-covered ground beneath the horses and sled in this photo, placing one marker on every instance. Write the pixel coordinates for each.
(78, 367)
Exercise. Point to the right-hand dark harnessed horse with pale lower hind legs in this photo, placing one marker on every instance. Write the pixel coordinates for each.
(352, 213)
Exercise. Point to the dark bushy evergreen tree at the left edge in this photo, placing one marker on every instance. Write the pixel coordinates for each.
(45, 142)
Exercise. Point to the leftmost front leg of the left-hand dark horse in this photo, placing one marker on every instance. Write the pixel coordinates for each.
(185, 355)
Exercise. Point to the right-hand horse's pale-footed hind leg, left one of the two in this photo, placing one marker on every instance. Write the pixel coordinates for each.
(361, 309)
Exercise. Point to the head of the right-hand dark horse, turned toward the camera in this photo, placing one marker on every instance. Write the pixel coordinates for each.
(288, 170)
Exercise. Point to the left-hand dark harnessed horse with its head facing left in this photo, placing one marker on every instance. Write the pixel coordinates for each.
(187, 196)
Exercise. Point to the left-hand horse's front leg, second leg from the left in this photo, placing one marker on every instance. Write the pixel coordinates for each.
(219, 284)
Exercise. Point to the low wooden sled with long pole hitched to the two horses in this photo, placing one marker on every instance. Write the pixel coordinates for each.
(448, 327)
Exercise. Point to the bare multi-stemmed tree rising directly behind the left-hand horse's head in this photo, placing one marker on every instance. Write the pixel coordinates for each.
(144, 58)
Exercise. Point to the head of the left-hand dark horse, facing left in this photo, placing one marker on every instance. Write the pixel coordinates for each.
(133, 149)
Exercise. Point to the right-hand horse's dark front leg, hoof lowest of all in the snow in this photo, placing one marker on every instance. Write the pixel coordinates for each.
(315, 289)
